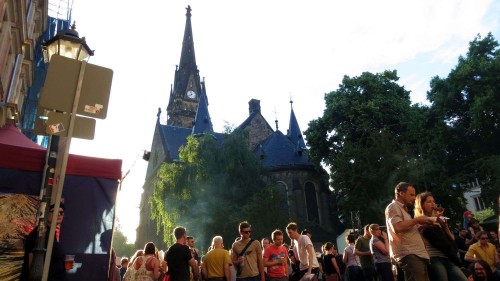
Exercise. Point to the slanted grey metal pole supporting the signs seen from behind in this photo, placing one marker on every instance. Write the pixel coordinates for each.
(60, 170)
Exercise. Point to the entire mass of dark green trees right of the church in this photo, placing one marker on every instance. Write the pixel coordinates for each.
(371, 137)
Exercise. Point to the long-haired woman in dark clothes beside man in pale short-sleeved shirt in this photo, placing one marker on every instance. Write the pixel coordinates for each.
(439, 241)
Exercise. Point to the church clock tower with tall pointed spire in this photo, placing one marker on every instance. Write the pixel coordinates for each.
(185, 95)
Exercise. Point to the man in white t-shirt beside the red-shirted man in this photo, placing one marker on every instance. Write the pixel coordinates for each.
(304, 247)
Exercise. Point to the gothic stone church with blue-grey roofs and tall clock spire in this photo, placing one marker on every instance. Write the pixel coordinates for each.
(284, 155)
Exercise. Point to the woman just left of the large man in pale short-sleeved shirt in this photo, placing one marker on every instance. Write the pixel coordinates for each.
(379, 246)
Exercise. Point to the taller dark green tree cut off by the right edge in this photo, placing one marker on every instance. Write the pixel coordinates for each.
(467, 101)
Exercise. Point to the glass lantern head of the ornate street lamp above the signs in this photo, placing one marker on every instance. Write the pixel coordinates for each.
(68, 44)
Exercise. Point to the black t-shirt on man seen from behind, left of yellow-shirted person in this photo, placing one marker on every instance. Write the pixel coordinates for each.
(177, 258)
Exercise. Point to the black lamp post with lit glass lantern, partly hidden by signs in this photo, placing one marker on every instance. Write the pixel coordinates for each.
(66, 43)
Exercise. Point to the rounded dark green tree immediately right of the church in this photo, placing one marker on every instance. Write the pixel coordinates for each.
(362, 137)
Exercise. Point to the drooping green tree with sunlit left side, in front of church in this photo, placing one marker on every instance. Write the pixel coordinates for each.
(212, 189)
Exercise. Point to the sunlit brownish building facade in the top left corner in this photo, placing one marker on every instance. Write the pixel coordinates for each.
(22, 23)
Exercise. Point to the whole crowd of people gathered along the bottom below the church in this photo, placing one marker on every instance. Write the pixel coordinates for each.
(419, 247)
